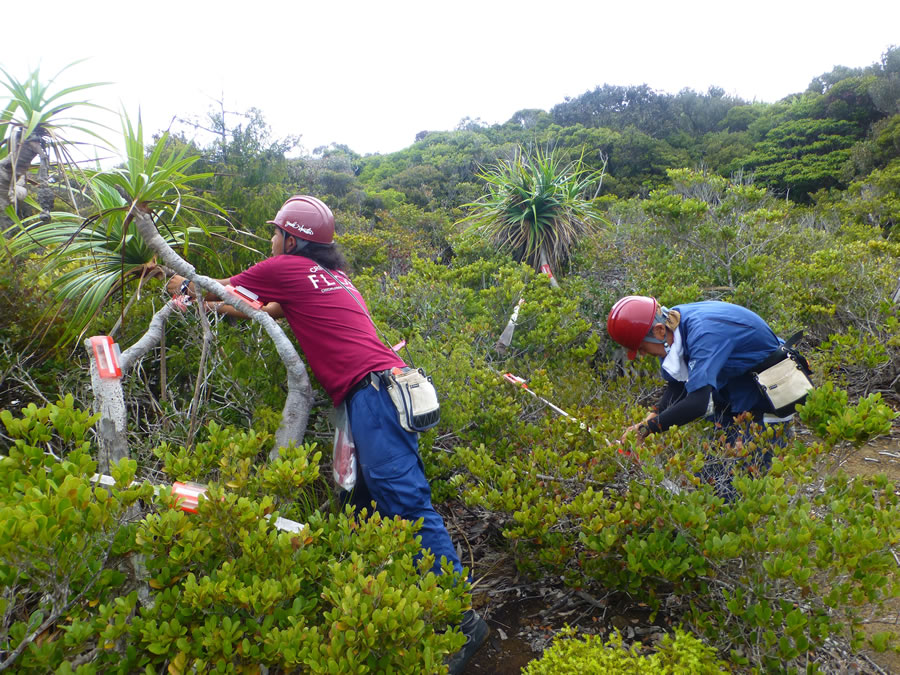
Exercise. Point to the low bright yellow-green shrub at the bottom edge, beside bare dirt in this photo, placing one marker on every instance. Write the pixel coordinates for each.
(682, 655)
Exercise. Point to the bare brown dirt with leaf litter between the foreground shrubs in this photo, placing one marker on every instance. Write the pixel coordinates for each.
(525, 614)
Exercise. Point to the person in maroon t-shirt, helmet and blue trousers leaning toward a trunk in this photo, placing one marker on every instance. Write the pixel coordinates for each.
(305, 282)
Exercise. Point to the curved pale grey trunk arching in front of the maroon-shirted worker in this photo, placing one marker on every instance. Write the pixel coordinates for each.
(299, 397)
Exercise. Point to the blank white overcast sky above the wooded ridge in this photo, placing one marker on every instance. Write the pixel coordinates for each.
(372, 74)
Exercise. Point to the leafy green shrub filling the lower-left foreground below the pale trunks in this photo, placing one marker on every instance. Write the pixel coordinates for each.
(92, 582)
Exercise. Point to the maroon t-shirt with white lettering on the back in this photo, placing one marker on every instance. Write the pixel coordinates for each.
(334, 332)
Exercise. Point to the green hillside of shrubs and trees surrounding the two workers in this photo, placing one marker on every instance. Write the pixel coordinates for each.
(788, 208)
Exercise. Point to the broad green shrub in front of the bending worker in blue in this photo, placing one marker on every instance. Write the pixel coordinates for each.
(796, 559)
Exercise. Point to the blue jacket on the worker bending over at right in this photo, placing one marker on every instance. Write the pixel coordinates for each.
(721, 343)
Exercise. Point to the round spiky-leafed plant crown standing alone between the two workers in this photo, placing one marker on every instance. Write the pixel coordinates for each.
(537, 206)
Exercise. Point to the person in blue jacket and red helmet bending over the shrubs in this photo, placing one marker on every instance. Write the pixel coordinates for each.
(708, 353)
